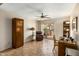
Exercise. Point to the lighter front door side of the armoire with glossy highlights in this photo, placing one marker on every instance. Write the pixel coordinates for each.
(19, 33)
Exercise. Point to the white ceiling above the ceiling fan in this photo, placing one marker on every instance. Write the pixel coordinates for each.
(35, 9)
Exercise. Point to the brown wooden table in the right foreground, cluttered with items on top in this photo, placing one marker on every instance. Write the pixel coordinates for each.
(63, 44)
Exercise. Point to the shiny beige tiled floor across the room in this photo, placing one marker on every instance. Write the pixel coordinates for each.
(34, 48)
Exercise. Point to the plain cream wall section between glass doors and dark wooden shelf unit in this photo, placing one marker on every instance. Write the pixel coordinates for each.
(58, 28)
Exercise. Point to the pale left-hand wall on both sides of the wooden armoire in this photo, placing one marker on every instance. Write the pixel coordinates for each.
(6, 27)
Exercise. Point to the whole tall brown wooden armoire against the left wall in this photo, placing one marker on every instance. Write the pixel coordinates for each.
(17, 32)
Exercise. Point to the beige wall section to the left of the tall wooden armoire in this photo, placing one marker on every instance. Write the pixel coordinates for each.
(5, 31)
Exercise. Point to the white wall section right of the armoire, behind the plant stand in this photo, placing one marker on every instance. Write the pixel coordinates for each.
(28, 33)
